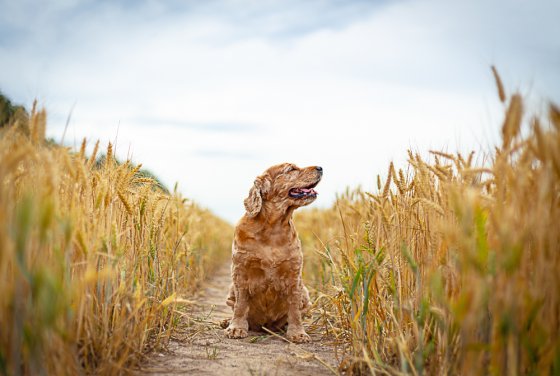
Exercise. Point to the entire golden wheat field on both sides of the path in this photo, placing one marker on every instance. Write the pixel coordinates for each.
(450, 266)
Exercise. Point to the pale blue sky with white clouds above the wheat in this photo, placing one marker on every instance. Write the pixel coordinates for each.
(208, 94)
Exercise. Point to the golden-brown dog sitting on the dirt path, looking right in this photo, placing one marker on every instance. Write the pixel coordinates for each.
(267, 289)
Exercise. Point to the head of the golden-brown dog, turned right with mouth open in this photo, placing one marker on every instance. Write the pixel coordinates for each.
(283, 186)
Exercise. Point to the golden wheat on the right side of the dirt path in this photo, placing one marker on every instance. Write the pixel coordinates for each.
(450, 266)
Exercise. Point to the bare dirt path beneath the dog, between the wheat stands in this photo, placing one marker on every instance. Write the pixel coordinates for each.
(202, 348)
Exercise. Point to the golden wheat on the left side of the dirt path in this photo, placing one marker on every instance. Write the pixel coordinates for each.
(95, 257)
